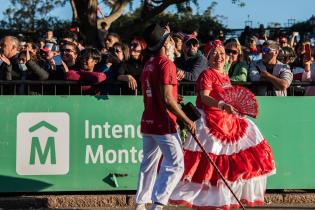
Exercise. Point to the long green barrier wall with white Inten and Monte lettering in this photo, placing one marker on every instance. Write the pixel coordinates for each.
(77, 143)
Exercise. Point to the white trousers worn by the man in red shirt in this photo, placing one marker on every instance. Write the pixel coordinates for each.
(159, 187)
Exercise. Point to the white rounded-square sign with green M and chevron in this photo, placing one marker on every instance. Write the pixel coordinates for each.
(42, 143)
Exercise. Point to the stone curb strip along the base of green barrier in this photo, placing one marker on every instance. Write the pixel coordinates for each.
(285, 200)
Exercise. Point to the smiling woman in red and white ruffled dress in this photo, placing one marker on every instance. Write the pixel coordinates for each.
(234, 142)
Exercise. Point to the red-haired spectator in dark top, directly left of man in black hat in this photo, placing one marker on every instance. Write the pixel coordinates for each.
(130, 71)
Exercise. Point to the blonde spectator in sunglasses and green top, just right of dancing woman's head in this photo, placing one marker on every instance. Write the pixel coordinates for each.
(235, 66)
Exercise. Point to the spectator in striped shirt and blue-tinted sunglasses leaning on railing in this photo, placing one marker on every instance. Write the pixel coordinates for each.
(271, 70)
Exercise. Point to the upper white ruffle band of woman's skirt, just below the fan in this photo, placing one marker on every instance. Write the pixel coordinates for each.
(252, 137)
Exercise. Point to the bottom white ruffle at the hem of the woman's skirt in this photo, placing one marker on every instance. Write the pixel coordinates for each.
(252, 190)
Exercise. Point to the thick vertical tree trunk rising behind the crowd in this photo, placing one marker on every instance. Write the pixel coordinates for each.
(87, 20)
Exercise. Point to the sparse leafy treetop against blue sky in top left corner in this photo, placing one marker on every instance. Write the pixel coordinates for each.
(29, 15)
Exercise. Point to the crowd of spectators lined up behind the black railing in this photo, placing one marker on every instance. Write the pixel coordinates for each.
(273, 63)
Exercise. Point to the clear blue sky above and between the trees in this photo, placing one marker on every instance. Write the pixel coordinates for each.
(257, 11)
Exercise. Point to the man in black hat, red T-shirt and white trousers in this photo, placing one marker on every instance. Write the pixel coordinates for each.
(158, 123)
